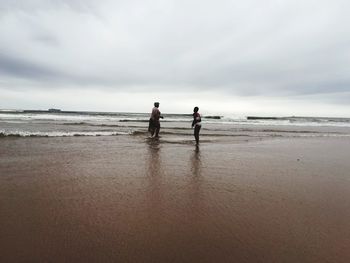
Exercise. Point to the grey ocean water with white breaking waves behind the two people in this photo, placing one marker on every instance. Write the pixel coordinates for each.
(70, 123)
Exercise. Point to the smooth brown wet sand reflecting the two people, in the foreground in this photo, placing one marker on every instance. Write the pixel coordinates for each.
(129, 199)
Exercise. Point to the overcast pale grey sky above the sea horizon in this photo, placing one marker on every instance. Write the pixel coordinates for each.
(243, 57)
